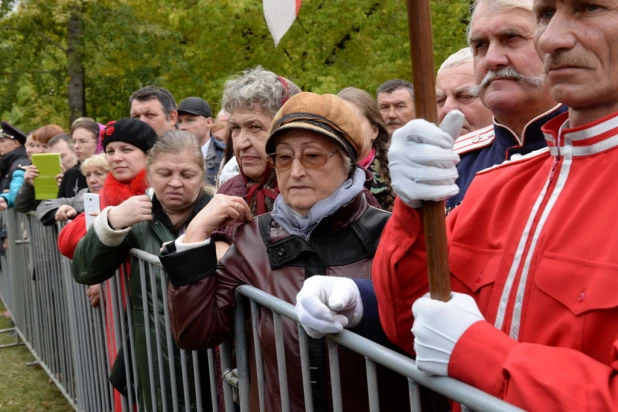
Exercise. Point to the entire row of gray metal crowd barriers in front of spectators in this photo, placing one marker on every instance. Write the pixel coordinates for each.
(72, 341)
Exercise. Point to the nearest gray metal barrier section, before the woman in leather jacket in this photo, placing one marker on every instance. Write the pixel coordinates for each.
(373, 353)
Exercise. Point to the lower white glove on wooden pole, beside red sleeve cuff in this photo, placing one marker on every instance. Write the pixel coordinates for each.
(437, 328)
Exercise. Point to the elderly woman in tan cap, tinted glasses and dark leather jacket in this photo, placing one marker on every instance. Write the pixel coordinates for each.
(321, 224)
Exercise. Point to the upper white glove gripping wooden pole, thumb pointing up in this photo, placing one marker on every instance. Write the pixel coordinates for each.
(422, 161)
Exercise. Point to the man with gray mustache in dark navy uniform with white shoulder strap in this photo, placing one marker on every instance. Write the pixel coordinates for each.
(510, 83)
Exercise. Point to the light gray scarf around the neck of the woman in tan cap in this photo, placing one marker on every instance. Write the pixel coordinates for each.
(296, 224)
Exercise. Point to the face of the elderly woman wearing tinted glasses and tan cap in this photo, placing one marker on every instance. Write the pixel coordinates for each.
(309, 166)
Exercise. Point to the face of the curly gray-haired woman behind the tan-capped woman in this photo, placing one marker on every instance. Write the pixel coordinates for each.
(249, 134)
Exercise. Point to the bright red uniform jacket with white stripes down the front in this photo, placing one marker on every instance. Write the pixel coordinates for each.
(535, 242)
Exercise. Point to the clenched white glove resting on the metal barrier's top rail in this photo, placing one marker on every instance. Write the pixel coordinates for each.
(327, 304)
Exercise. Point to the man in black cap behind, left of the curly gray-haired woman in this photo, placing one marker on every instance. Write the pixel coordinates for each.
(195, 116)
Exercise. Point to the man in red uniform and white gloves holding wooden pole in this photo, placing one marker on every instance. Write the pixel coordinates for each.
(533, 316)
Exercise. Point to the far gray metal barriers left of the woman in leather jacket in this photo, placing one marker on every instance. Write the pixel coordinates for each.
(75, 344)
